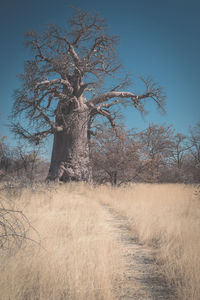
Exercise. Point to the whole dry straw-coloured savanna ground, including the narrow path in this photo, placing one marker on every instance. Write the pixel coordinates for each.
(104, 243)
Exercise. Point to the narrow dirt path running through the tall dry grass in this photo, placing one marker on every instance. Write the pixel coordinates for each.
(143, 280)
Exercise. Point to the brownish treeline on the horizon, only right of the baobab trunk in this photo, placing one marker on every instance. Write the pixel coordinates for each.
(157, 154)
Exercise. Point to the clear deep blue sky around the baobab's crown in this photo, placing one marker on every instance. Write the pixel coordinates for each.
(160, 38)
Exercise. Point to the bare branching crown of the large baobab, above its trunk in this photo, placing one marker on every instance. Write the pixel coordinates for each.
(66, 64)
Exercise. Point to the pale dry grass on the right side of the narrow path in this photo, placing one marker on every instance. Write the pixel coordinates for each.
(166, 217)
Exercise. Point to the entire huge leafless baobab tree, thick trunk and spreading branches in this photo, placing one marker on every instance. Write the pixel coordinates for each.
(65, 87)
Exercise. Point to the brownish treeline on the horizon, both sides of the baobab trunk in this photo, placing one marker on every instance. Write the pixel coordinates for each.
(156, 154)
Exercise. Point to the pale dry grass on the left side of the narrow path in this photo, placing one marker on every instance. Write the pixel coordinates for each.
(81, 257)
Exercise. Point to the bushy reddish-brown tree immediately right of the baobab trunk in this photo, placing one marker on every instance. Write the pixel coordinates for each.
(115, 158)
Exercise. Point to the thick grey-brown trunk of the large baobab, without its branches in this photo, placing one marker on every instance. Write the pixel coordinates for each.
(70, 155)
